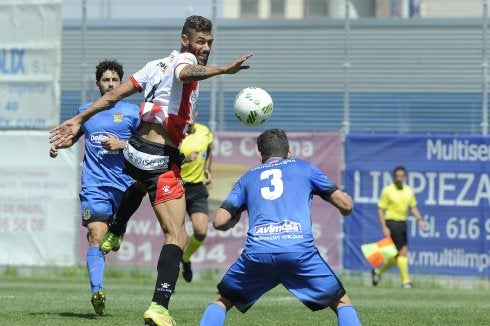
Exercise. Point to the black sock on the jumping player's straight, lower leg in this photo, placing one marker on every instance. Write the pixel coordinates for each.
(168, 273)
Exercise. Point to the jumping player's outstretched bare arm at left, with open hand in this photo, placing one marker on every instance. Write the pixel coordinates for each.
(70, 128)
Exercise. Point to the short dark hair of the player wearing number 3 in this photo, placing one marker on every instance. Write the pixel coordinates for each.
(273, 143)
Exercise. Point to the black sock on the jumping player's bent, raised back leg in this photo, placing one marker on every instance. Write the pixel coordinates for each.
(129, 204)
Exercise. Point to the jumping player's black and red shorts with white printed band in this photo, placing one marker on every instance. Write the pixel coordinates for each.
(155, 165)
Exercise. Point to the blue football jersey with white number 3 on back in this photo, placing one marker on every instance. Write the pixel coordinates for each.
(278, 196)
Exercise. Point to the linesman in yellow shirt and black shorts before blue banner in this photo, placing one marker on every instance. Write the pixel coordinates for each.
(395, 201)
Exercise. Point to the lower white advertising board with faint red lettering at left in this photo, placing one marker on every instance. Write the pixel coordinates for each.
(38, 201)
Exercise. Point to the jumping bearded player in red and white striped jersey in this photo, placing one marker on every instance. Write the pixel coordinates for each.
(152, 156)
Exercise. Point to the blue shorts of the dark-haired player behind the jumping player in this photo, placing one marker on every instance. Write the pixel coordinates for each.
(99, 203)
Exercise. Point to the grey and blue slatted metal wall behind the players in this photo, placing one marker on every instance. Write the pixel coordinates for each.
(369, 75)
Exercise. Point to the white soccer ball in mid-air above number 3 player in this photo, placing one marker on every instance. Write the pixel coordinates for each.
(253, 106)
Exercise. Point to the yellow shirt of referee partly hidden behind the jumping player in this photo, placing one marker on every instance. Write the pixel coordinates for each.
(199, 141)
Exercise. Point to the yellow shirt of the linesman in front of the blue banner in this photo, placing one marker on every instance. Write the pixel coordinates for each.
(396, 202)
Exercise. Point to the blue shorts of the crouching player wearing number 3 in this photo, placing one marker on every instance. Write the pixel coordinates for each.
(304, 274)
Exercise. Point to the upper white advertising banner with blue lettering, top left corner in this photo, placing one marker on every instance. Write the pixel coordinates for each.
(30, 61)
